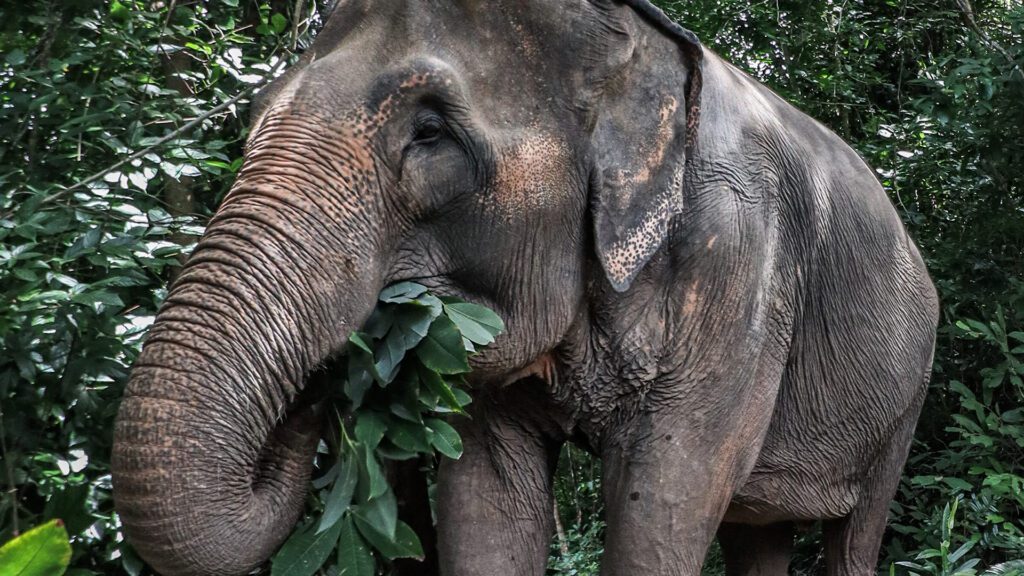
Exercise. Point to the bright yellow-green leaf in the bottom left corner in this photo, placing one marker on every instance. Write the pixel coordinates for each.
(45, 551)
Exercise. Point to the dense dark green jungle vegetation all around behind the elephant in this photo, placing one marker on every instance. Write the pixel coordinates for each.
(121, 129)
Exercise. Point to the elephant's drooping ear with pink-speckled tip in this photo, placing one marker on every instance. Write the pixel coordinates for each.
(646, 122)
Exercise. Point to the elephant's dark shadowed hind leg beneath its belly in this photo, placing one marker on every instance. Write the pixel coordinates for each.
(756, 551)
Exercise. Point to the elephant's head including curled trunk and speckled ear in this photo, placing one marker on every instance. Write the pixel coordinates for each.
(499, 152)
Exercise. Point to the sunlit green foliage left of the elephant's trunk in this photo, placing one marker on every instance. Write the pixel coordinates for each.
(84, 261)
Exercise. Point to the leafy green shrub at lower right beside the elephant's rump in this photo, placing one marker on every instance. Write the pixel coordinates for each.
(982, 463)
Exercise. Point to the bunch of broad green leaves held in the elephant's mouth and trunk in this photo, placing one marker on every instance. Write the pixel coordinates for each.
(404, 375)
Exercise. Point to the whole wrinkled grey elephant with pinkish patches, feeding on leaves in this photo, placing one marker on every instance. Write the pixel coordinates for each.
(702, 285)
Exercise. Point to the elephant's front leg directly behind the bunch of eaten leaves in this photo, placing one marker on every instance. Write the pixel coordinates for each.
(494, 505)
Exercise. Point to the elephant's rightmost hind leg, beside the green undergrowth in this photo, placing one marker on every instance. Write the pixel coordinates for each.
(852, 544)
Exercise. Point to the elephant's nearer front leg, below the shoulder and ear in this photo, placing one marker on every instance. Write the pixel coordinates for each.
(668, 481)
